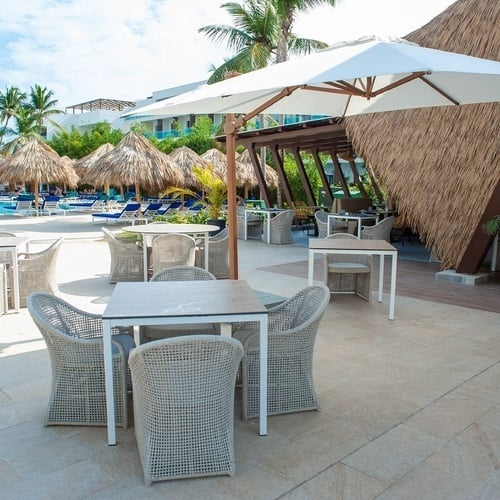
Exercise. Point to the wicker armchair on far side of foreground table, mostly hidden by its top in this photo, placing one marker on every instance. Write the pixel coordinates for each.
(179, 273)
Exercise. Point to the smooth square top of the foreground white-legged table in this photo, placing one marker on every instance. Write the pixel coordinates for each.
(182, 299)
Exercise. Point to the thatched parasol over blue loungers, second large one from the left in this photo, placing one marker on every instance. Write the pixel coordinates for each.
(136, 161)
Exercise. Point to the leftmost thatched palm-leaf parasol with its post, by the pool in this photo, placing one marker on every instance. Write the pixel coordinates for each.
(36, 162)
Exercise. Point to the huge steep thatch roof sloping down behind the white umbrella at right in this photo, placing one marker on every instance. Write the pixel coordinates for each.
(440, 165)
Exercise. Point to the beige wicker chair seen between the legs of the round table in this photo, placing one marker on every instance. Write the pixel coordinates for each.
(170, 250)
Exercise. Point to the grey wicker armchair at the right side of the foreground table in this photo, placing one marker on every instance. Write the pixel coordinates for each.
(292, 331)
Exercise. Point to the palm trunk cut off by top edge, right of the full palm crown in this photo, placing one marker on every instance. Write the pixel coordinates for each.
(287, 11)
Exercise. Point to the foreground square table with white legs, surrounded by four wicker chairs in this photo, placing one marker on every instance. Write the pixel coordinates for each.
(183, 302)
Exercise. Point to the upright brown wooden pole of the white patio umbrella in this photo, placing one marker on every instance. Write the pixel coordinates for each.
(230, 130)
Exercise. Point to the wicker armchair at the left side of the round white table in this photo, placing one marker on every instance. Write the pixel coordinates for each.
(127, 262)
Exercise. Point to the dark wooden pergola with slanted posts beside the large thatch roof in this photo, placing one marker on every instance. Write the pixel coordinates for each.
(326, 136)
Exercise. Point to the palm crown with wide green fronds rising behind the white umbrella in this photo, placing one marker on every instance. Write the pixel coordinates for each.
(255, 37)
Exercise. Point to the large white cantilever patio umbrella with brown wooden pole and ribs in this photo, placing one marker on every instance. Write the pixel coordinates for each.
(365, 76)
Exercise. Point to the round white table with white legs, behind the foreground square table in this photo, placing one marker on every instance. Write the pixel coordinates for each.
(159, 228)
